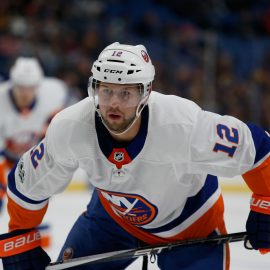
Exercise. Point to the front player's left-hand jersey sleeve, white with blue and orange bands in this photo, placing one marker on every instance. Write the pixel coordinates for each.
(38, 175)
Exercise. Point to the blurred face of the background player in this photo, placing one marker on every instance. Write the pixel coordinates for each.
(24, 96)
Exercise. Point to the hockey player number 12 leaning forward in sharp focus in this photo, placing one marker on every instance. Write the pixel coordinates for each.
(153, 160)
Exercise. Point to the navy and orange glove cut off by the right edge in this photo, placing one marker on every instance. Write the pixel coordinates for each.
(258, 223)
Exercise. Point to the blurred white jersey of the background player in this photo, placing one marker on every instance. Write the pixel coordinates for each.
(20, 130)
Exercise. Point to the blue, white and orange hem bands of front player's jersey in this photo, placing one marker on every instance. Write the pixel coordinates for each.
(202, 214)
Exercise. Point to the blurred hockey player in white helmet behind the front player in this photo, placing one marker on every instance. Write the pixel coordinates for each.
(28, 101)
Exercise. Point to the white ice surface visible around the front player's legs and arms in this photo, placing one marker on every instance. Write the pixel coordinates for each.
(65, 208)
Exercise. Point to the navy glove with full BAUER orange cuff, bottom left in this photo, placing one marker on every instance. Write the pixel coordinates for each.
(20, 250)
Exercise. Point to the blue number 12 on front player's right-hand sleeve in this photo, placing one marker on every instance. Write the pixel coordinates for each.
(229, 134)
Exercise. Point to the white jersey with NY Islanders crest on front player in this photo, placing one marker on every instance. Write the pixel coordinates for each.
(164, 191)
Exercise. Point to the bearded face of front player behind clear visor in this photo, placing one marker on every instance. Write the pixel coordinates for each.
(118, 104)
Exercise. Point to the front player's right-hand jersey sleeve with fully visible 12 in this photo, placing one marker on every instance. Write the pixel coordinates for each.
(225, 146)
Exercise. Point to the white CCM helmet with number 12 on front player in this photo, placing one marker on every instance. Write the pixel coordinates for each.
(124, 64)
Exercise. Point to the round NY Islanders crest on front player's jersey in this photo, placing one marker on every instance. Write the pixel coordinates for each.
(132, 207)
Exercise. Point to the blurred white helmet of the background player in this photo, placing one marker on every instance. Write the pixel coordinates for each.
(26, 72)
